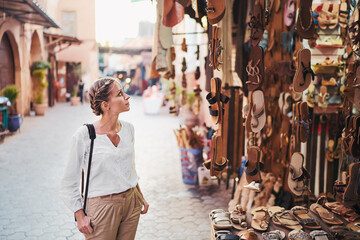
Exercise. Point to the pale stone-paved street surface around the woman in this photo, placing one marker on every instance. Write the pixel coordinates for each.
(32, 164)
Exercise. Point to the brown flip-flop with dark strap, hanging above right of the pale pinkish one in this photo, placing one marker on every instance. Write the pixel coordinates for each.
(304, 74)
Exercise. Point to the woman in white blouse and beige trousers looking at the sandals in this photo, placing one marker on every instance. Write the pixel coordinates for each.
(114, 197)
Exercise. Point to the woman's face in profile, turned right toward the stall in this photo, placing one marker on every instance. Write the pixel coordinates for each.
(118, 100)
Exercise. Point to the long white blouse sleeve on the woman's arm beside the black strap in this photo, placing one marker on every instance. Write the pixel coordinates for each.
(70, 183)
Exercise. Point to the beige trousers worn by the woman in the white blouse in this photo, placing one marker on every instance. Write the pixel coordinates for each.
(115, 216)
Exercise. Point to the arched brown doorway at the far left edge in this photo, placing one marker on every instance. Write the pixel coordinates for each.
(7, 68)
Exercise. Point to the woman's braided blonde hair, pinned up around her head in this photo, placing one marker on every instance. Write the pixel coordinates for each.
(100, 92)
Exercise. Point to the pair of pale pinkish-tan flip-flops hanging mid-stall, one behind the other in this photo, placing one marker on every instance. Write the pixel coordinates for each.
(256, 118)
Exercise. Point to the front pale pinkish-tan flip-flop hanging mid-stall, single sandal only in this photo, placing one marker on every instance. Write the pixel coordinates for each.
(258, 115)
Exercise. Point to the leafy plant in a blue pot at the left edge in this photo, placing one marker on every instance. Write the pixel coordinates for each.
(12, 92)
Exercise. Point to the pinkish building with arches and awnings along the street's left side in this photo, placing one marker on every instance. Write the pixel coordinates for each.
(61, 32)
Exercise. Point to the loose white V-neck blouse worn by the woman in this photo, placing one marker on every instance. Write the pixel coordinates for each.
(112, 168)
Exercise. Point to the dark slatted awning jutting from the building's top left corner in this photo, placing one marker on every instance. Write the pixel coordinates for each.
(27, 11)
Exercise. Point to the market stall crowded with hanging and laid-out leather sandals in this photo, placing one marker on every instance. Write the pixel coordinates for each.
(279, 82)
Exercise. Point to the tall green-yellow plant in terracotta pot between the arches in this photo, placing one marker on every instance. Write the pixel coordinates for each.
(38, 72)
